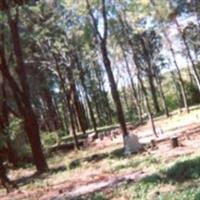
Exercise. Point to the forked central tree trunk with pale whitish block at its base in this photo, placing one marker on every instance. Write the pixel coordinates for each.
(131, 143)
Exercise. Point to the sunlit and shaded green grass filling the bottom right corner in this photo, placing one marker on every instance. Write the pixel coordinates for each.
(180, 181)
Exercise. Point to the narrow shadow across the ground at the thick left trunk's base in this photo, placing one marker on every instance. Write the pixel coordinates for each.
(28, 179)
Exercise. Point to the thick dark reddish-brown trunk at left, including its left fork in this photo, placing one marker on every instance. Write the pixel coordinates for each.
(23, 97)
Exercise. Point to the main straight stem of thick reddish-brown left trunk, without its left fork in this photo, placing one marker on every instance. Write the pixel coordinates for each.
(30, 120)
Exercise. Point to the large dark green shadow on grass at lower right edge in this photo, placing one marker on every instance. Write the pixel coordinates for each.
(179, 172)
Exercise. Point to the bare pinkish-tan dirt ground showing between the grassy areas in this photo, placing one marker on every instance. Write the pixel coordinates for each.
(185, 127)
